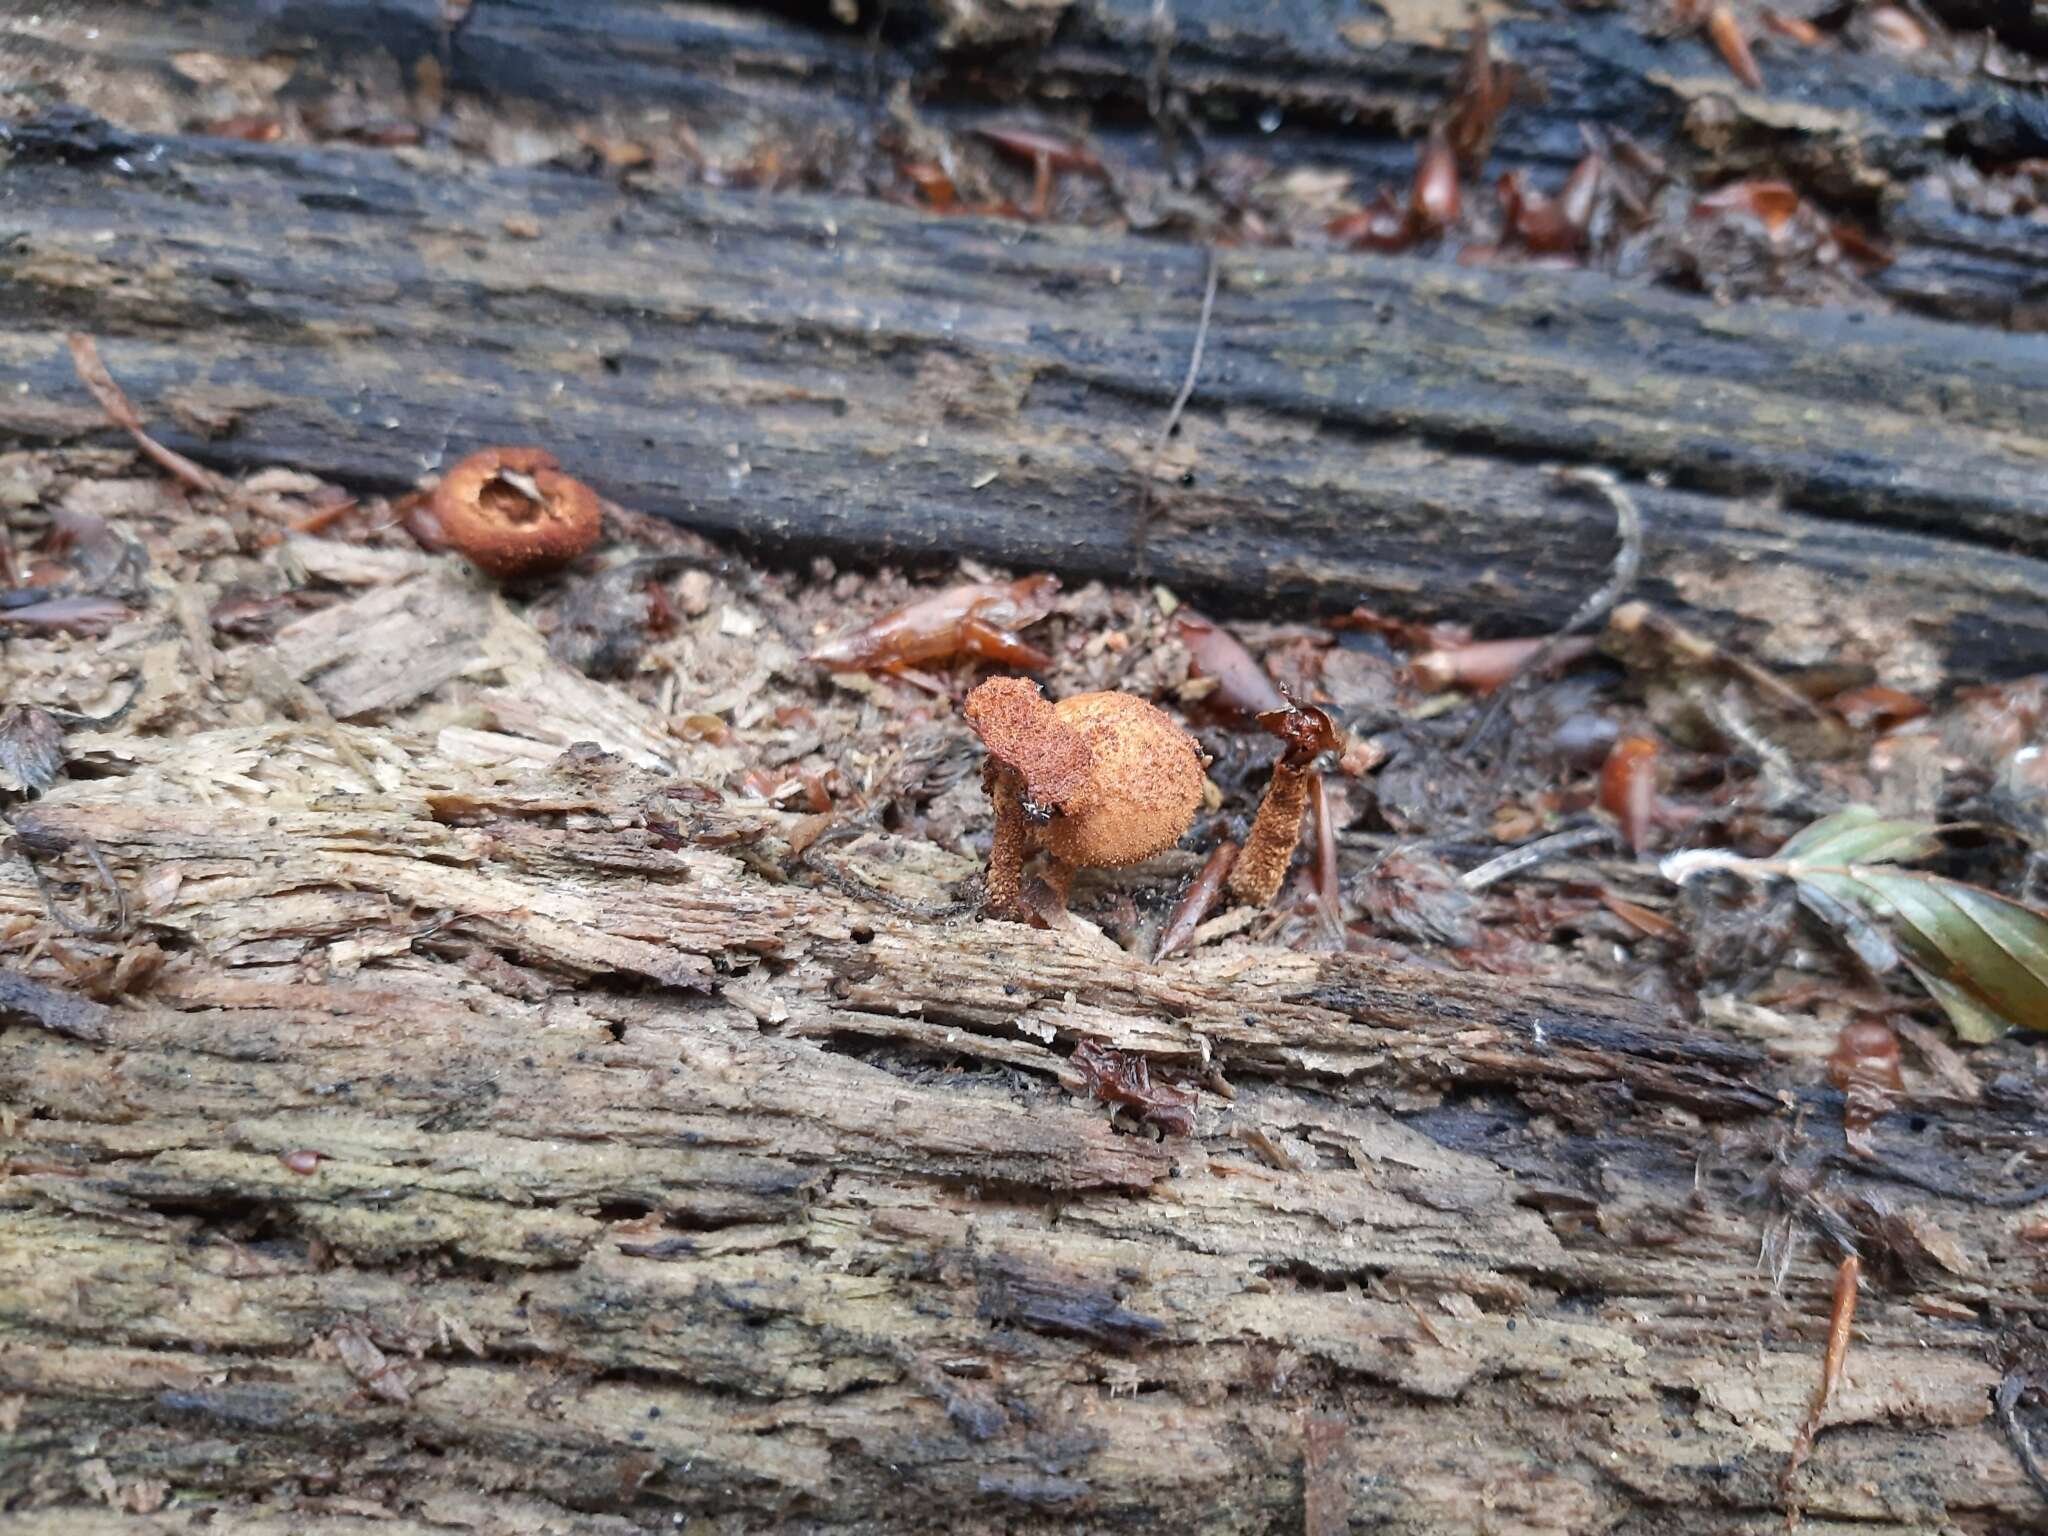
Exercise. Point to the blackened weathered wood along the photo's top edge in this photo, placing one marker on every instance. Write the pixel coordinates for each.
(1293, 85)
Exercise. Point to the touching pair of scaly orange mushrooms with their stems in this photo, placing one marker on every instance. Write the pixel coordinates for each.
(1097, 781)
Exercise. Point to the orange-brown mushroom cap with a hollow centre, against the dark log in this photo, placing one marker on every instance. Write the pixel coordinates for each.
(513, 511)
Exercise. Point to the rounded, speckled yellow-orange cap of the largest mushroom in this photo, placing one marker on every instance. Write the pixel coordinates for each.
(1144, 787)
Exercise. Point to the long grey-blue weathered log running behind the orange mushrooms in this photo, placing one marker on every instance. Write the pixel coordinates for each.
(847, 376)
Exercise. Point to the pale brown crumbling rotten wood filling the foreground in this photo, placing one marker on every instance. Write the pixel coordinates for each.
(529, 1146)
